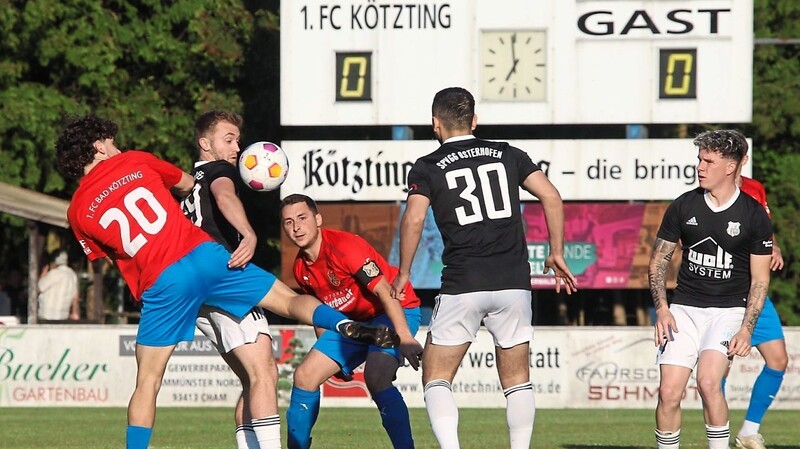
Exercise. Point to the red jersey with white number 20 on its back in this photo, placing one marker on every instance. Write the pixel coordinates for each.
(124, 209)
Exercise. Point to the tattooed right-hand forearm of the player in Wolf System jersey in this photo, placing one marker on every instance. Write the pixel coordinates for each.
(759, 284)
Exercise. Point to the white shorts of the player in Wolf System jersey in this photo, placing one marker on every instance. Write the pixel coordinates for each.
(699, 329)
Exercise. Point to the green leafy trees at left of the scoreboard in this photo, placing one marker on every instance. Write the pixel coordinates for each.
(151, 66)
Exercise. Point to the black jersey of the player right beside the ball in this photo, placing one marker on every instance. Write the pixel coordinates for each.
(201, 207)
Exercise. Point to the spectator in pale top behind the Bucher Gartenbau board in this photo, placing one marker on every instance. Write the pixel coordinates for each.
(58, 291)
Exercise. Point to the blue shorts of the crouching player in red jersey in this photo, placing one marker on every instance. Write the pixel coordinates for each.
(349, 354)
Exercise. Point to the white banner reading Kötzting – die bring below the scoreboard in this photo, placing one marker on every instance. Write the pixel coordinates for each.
(591, 169)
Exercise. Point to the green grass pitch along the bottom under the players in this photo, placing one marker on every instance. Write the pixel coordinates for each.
(211, 428)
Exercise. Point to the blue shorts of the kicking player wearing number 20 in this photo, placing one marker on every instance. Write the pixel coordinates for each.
(170, 306)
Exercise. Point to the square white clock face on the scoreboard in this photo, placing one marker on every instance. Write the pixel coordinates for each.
(513, 65)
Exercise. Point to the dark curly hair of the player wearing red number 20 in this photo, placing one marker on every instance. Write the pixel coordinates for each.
(75, 145)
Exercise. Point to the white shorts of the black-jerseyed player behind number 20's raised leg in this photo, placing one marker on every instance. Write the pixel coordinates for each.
(228, 332)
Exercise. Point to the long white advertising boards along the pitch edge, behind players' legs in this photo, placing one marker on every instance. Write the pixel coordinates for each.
(571, 367)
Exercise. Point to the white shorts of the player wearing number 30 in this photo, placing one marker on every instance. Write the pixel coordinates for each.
(506, 314)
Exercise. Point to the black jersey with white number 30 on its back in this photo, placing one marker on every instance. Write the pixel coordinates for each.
(473, 186)
